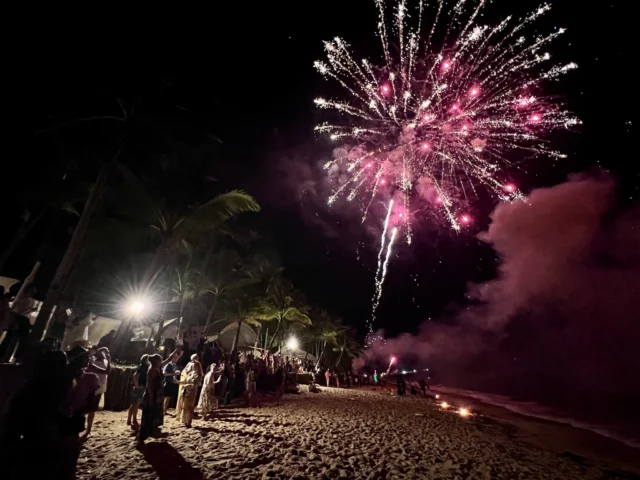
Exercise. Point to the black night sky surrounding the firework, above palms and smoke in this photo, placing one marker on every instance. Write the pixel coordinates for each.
(245, 71)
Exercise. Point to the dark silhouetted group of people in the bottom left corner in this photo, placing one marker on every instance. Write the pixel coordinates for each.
(53, 413)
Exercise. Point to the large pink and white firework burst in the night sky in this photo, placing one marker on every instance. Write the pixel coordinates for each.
(447, 109)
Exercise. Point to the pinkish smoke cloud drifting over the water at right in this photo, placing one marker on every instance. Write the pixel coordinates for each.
(561, 322)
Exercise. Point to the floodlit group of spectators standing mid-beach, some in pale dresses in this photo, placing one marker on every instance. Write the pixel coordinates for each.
(205, 383)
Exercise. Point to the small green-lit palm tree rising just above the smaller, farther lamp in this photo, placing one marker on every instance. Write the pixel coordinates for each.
(281, 306)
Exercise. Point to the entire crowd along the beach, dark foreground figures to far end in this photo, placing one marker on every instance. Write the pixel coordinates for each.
(54, 413)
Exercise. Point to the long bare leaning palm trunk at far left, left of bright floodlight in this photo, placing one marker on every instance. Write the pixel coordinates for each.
(73, 249)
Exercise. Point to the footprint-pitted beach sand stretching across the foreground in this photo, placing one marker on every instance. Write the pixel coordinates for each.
(341, 433)
